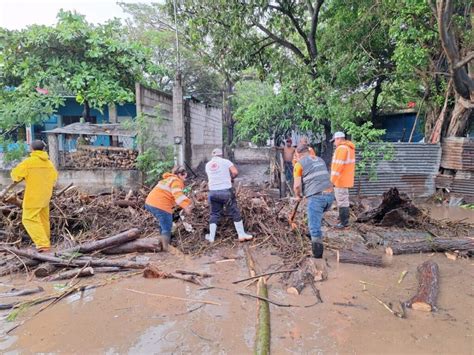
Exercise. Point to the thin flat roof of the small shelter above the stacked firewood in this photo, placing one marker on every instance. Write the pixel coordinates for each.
(111, 129)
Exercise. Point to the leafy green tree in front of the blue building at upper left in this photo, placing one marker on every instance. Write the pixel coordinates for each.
(95, 63)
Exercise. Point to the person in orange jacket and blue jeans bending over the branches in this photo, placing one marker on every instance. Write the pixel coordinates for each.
(164, 197)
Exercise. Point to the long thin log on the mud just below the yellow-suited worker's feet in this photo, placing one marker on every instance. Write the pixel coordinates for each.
(76, 262)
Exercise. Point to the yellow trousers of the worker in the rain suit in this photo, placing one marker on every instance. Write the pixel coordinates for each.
(36, 223)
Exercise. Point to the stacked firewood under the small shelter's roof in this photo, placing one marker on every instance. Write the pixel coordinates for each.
(90, 157)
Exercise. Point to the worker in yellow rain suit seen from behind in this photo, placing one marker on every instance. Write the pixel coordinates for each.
(40, 176)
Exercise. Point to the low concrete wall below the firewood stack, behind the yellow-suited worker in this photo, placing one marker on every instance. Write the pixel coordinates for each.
(92, 181)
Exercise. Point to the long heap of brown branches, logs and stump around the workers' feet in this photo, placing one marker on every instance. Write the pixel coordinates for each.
(83, 223)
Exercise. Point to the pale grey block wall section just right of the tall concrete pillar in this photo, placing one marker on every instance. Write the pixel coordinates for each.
(206, 131)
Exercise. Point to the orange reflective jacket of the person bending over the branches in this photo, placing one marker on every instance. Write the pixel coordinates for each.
(168, 193)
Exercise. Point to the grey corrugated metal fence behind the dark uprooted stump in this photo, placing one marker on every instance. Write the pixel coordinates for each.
(412, 170)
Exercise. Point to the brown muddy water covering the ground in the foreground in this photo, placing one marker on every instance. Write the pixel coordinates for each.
(112, 319)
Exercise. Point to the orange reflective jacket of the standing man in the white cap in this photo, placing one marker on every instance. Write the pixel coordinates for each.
(343, 165)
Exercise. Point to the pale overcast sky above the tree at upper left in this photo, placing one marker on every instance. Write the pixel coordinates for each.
(16, 14)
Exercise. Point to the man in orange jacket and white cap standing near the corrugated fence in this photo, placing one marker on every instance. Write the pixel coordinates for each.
(342, 175)
